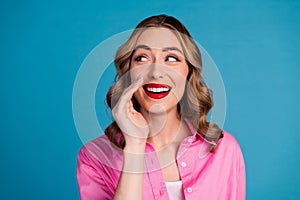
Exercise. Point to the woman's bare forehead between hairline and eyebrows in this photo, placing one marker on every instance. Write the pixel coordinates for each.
(158, 38)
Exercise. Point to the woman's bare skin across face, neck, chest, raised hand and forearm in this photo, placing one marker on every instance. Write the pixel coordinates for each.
(158, 58)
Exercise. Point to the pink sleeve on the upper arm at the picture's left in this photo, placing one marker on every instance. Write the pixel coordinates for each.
(90, 182)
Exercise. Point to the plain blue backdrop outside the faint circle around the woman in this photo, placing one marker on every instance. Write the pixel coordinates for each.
(255, 45)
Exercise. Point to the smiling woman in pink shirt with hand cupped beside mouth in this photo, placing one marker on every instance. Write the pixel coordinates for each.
(160, 145)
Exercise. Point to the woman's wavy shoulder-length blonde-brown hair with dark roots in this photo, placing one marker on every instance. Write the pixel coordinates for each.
(197, 99)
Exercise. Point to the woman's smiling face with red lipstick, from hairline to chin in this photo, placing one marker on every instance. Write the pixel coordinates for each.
(158, 57)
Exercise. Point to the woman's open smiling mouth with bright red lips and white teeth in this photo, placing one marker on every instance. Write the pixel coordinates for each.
(157, 91)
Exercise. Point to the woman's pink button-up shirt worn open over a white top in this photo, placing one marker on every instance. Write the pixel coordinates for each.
(204, 175)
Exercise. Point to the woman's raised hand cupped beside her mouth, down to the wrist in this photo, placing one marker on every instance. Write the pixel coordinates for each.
(132, 123)
